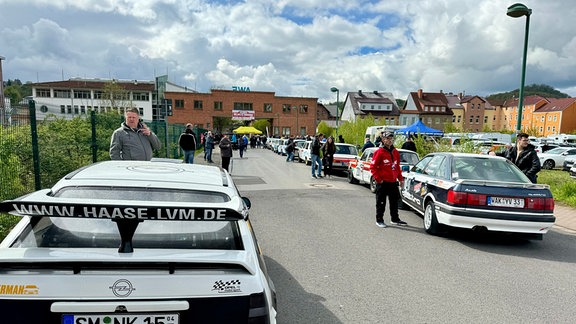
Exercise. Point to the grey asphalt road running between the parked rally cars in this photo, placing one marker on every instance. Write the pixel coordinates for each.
(331, 264)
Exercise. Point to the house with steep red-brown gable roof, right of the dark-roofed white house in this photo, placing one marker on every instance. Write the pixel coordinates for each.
(430, 107)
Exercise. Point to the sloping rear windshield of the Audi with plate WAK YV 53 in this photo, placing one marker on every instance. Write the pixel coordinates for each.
(491, 169)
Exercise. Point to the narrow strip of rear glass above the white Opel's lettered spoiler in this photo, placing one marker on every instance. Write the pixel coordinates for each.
(146, 194)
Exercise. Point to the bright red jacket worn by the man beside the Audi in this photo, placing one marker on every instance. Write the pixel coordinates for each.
(385, 165)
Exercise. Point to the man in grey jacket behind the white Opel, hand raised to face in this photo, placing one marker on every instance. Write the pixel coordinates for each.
(133, 140)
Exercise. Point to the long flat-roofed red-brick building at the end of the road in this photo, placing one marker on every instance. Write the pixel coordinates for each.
(287, 115)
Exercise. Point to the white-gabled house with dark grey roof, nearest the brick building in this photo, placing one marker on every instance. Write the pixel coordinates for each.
(381, 105)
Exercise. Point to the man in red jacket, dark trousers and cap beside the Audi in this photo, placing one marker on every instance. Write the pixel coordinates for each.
(386, 170)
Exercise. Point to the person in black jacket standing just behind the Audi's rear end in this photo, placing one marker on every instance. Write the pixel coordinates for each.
(524, 156)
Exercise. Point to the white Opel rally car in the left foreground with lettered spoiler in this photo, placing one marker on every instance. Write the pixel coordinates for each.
(135, 242)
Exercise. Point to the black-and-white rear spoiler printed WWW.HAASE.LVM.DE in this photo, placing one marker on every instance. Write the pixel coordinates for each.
(127, 214)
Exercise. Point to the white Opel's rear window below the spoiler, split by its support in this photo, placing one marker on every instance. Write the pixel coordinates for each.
(51, 232)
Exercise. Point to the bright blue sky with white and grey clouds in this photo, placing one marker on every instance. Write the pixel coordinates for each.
(293, 47)
